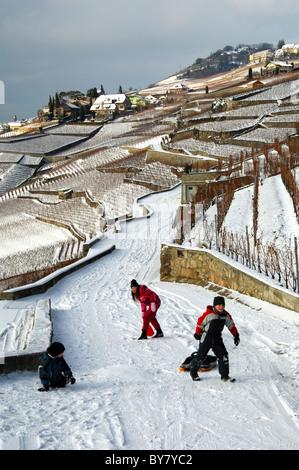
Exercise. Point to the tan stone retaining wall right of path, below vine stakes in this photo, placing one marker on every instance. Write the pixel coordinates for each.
(199, 266)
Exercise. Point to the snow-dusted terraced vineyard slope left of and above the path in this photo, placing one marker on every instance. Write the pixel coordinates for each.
(91, 174)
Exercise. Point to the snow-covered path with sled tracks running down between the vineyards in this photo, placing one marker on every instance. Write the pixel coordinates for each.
(129, 394)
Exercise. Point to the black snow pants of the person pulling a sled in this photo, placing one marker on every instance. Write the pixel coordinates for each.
(216, 344)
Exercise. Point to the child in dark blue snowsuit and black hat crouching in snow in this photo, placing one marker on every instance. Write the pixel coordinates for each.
(53, 370)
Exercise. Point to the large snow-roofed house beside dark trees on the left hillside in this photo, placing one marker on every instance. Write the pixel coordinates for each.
(109, 106)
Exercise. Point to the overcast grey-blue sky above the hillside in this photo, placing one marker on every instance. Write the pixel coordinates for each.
(60, 45)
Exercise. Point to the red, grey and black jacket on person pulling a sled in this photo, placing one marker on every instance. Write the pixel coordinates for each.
(213, 323)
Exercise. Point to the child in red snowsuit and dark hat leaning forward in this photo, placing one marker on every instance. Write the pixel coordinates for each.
(150, 303)
